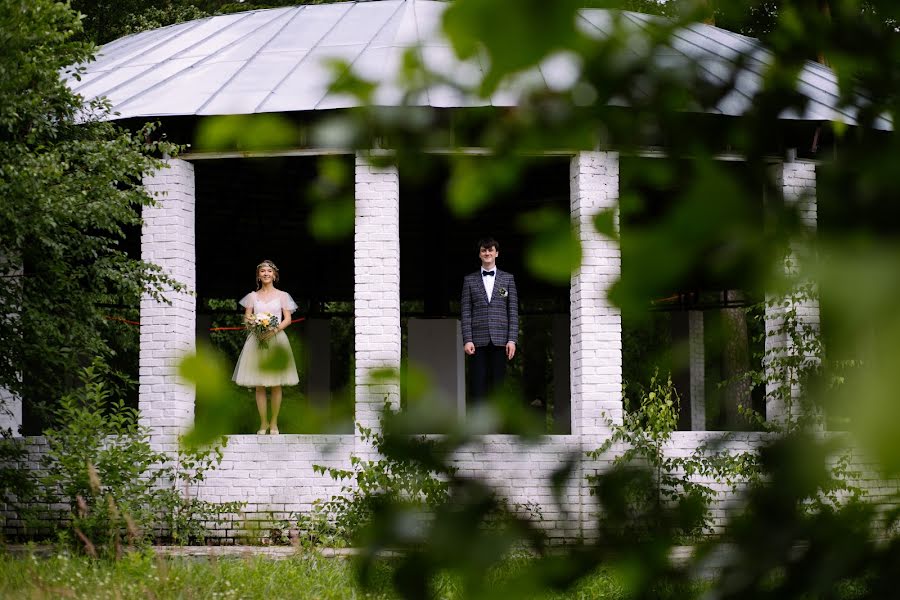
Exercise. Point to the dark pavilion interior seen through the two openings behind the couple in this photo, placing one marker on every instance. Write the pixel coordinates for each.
(249, 209)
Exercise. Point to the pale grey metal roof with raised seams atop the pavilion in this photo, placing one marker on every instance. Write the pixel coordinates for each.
(275, 60)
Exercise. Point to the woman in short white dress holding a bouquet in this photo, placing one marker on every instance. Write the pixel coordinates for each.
(259, 364)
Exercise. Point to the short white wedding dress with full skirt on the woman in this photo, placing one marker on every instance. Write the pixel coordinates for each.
(249, 371)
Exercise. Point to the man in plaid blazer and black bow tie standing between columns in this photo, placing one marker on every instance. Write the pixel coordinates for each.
(490, 321)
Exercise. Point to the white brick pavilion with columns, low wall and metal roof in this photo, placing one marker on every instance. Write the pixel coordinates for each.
(274, 61)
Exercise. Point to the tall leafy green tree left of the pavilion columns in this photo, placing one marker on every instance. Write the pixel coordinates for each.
(70, 184)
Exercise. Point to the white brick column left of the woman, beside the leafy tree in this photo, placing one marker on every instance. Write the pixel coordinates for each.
(168, 331)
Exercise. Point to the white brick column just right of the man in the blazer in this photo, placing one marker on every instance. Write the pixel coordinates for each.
(596, 328)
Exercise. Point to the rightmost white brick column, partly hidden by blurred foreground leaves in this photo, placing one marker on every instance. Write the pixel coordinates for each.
(797, 181)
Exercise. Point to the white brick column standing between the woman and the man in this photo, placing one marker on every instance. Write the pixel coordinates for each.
(376, 298)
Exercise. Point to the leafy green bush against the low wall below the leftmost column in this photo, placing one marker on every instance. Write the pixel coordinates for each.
(117, 489)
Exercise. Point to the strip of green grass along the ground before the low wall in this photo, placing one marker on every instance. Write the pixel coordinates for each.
(308, 576)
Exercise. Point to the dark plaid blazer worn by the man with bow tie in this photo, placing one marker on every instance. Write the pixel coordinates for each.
(486, 322)
